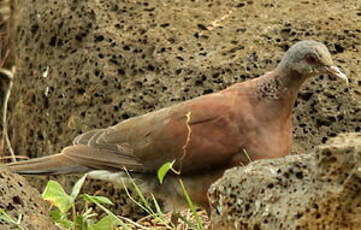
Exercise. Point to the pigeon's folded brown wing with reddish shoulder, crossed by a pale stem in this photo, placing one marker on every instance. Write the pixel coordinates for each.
(146, 142)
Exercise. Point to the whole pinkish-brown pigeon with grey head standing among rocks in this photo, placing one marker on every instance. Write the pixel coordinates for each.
(205, 135)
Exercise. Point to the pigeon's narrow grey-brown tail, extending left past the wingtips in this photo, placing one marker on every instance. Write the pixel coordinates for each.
(50, 165)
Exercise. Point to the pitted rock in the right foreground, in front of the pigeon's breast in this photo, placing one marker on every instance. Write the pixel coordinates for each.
(321, 190)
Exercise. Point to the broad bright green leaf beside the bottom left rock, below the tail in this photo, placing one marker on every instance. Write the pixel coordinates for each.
(55, 194)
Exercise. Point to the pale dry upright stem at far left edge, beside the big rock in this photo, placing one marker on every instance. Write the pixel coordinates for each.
(10, 75)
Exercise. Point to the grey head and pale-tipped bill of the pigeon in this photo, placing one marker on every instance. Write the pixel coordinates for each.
(310, 58)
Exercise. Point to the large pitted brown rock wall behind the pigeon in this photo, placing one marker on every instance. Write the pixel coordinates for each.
(90, 64)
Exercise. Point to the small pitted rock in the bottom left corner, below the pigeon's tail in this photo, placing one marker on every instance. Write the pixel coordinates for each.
(18, 198)
